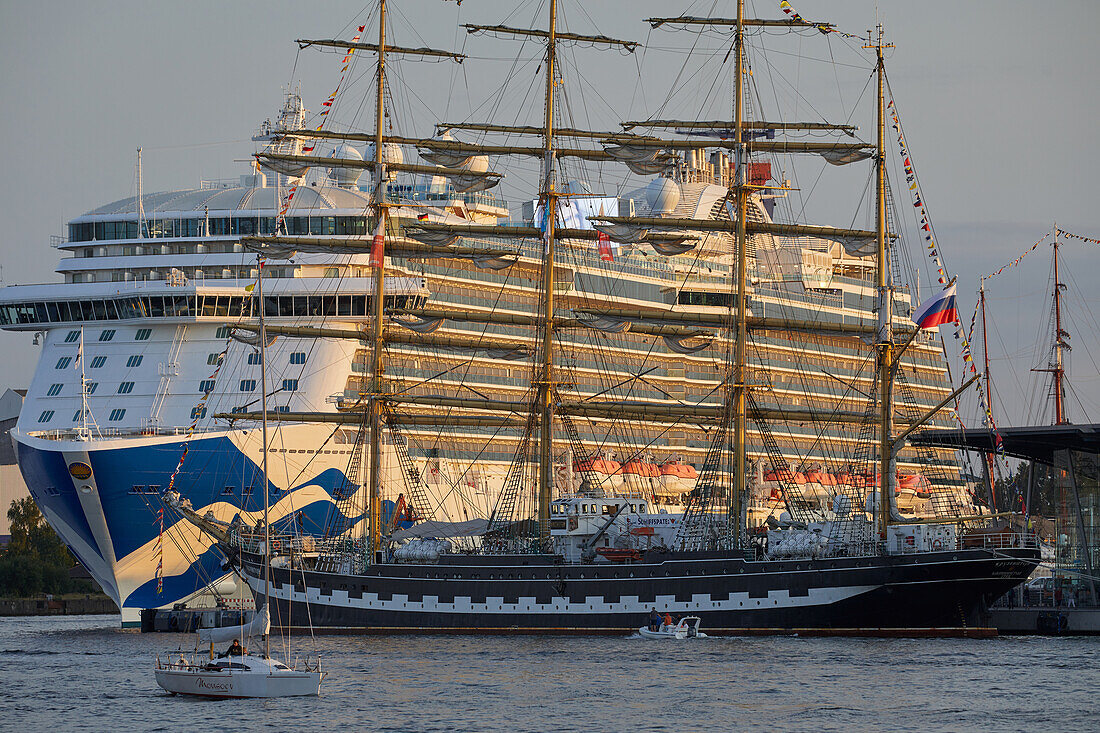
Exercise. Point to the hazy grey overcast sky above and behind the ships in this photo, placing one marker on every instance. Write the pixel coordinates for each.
(998, 101)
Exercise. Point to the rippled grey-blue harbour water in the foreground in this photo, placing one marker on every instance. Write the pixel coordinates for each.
(85, 674)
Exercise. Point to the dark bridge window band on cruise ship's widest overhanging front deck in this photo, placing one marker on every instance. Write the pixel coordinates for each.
(169, 307)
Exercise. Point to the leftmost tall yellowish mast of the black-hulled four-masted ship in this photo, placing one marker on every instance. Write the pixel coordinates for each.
(376, 407)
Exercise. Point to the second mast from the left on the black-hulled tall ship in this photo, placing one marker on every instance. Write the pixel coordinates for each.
(551, 215)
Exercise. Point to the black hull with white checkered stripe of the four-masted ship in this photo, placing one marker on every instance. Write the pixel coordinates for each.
(541, 595)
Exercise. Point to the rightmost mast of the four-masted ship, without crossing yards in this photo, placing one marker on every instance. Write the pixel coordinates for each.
(886, 303)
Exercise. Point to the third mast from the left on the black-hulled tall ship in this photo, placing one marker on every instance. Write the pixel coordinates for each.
(739, 374)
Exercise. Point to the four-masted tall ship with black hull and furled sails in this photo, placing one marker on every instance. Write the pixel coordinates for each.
(576, 553)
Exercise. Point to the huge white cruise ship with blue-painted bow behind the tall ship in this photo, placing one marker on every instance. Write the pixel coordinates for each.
(147, 358)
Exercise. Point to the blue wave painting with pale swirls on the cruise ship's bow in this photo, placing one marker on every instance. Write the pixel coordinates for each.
(111, 522)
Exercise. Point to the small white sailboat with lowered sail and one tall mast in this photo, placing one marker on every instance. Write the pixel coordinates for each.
(238, 674)
